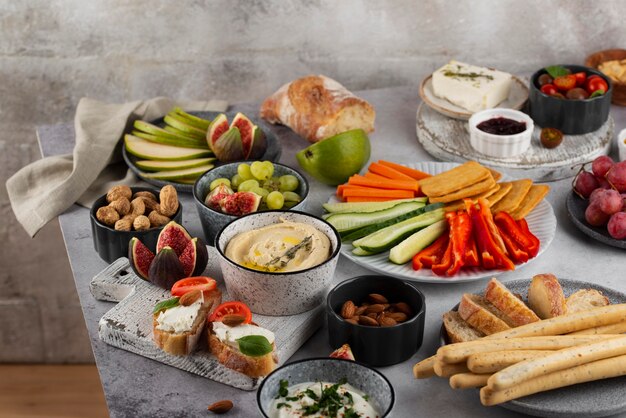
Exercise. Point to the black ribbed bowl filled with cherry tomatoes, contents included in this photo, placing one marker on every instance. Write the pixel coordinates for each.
(573, 109)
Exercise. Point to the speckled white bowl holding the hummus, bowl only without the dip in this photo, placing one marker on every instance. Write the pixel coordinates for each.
(277, 293)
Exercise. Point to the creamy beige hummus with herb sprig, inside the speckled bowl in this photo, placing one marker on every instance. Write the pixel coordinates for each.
(282, 247)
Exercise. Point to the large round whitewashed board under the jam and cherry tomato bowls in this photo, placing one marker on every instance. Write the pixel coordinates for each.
(448, 139)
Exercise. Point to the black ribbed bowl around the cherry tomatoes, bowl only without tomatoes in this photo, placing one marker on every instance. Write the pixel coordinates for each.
(573, 117)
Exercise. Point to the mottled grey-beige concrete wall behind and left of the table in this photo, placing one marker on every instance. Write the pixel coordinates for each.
(52, 53)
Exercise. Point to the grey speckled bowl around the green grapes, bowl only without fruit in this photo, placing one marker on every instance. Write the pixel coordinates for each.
(212, 221)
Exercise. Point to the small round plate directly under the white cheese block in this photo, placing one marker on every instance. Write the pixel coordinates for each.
(517, 97)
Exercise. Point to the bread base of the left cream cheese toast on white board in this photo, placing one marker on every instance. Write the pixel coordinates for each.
(184, 343)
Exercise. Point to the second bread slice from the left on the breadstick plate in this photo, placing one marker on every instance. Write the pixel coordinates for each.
(479, 313)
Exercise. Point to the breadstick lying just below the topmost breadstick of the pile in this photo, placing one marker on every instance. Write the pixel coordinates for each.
(456, 353)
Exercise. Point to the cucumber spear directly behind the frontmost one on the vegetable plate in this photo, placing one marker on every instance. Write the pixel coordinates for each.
(388, 237)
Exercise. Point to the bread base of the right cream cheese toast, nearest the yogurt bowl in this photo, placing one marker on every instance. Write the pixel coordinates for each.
(234, 359)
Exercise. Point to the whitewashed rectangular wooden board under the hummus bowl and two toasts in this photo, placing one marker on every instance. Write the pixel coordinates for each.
(129, 325)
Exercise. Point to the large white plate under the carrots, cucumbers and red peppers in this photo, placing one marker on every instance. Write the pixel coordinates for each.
(541, 222)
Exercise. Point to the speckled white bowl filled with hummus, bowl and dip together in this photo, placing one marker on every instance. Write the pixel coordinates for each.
(278, 292)
